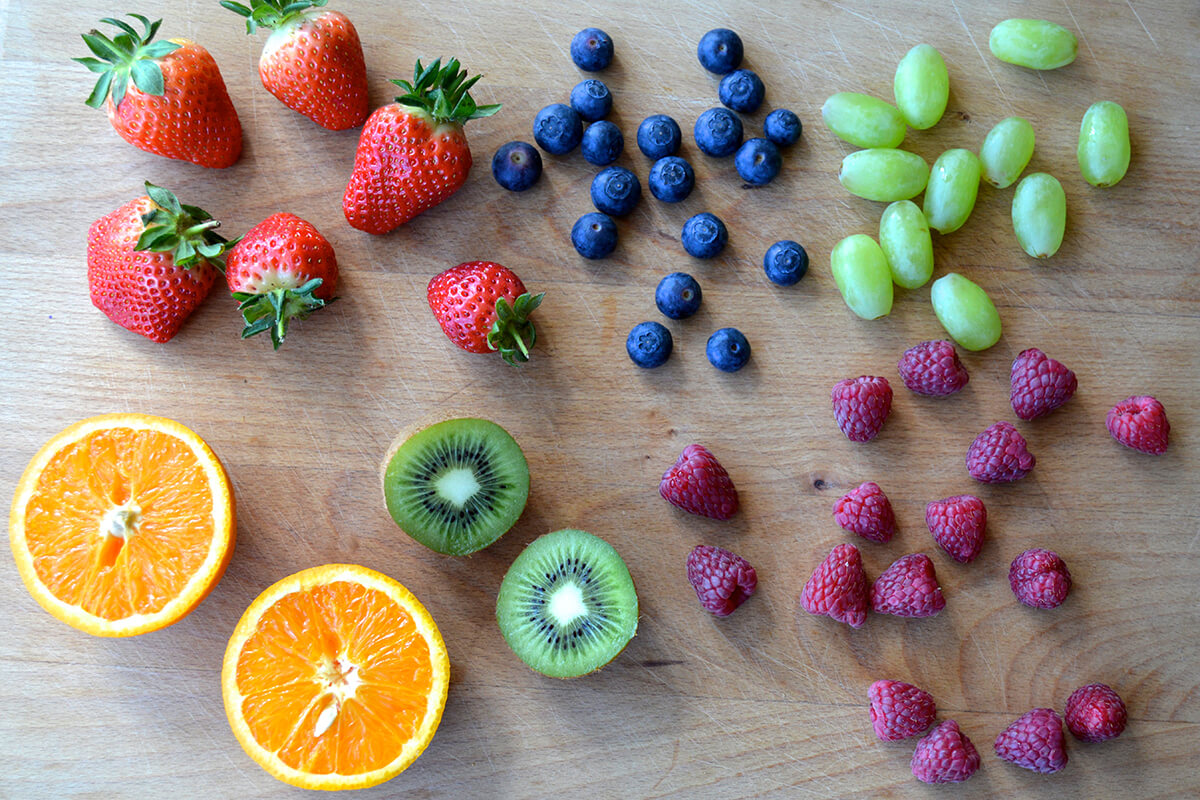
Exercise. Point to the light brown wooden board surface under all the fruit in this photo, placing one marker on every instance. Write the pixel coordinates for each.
(771, 702)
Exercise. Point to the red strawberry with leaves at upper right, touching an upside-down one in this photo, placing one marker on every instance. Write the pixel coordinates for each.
(152, 262)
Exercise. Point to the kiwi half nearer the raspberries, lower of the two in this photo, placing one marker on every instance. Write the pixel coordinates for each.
(568, 605)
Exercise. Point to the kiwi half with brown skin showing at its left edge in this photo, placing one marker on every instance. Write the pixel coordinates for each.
(457, 486)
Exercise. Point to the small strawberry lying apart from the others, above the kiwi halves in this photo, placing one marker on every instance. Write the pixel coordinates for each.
(483, 306)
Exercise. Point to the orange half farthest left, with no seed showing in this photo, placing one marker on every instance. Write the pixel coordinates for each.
(123, 524)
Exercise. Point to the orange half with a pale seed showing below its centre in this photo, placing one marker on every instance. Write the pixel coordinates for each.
(335, 678)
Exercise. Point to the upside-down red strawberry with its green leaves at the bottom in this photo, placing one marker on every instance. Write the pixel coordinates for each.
(283, 269)
